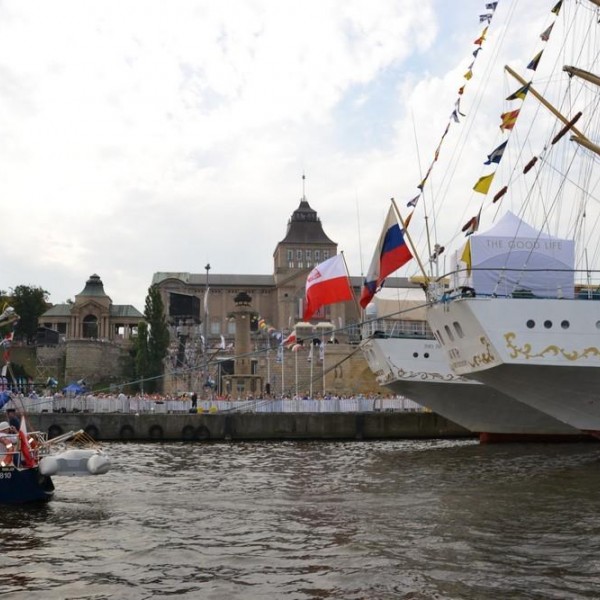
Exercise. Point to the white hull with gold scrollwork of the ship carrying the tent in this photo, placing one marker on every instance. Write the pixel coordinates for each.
(543, 352)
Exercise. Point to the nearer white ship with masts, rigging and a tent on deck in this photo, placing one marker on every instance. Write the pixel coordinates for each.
(523, 316)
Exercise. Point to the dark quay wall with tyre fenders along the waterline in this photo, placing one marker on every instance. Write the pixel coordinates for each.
(250, 426)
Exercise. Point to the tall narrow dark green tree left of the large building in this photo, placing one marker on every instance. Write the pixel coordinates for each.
(152, 343)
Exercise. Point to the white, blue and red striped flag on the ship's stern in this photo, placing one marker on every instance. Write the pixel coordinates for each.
(390, 254)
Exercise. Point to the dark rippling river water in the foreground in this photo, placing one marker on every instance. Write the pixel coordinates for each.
(356, 520)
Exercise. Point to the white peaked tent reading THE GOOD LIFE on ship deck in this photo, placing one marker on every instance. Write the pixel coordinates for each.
(514, 257)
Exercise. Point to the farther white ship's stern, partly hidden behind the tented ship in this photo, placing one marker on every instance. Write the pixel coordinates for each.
(406, 358)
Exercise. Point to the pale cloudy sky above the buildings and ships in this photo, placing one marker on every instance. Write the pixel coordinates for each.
(139, 137)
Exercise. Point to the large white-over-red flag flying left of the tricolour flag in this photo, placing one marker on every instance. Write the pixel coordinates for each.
(327, 283)
